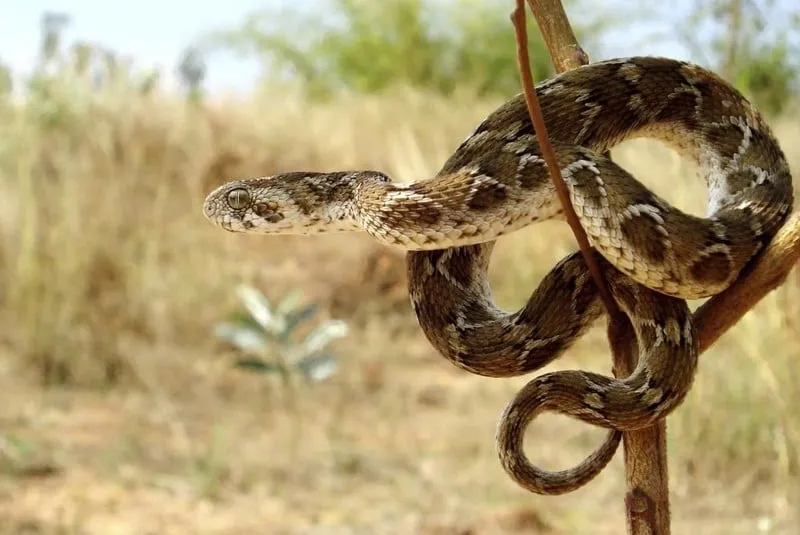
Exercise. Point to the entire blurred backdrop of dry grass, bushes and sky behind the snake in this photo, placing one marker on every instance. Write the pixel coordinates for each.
(158, 375)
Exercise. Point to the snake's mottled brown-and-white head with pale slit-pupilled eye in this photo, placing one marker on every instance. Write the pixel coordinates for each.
(288, 203)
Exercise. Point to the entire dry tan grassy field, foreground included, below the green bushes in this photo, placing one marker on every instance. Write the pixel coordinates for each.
(112, 281)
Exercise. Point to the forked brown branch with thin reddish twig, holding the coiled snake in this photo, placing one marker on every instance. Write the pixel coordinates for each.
(647, 499)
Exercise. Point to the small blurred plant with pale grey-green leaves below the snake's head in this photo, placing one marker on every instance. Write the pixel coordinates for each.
(270, 338)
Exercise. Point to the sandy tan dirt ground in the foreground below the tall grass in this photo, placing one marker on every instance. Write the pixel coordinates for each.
(399, 442)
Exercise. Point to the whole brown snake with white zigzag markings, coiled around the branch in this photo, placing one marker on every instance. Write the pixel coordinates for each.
(653, 255)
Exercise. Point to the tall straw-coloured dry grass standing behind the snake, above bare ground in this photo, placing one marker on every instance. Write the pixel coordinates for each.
(105, 257)
